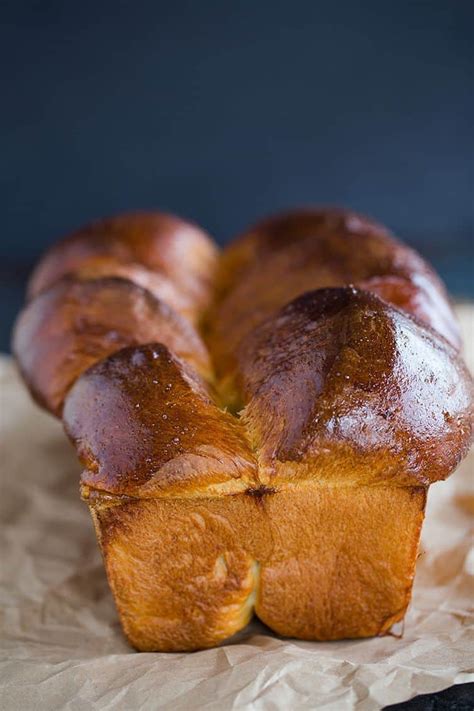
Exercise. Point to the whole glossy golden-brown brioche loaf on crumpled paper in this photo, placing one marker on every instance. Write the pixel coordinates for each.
(258, 428)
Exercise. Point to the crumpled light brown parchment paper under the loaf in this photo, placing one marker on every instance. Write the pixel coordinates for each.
(61, 644)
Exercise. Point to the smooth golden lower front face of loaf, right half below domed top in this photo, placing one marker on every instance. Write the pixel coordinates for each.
(350, 552)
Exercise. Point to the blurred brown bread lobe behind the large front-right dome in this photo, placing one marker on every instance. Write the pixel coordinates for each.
(287, 255)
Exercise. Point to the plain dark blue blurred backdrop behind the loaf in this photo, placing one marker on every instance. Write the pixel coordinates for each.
(223, 111)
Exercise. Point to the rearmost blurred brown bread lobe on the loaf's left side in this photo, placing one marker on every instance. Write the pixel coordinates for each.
(163, 244)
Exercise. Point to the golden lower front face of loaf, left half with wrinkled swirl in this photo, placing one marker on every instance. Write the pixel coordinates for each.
(181, 578)
